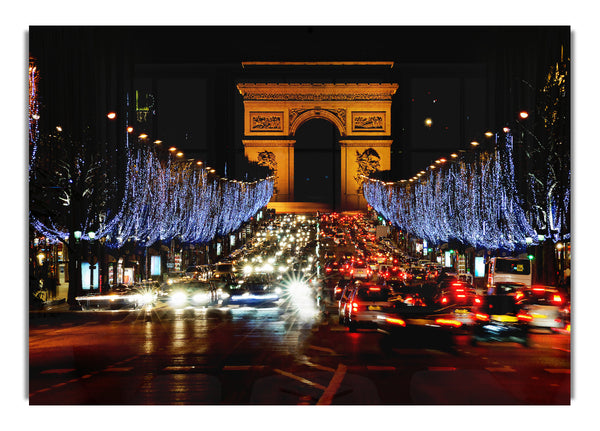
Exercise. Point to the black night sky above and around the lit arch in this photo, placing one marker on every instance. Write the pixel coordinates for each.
(466, 80)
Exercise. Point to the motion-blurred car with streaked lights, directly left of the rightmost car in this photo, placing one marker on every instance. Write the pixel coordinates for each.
(500, 318)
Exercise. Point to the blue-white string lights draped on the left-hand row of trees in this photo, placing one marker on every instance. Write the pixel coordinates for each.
(164, 200)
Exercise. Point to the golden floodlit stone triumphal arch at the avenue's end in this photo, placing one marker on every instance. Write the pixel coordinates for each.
(273, 112)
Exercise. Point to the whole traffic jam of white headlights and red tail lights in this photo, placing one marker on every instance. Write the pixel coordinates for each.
(337, 265)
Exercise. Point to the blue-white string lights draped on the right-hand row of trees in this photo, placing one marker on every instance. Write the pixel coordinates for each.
(471, 201)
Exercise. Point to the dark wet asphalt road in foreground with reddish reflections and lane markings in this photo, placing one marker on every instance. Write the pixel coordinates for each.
(277, 357)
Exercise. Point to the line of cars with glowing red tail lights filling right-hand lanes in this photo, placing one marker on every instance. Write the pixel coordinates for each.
(402, 294)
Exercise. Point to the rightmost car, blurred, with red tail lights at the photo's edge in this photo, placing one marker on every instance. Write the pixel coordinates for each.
(545, 304)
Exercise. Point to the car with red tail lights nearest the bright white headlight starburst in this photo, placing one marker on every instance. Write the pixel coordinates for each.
(366, 303)
